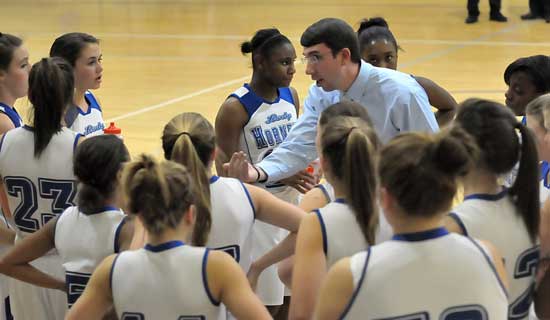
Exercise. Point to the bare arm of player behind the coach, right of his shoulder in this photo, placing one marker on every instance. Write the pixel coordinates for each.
(440, 99)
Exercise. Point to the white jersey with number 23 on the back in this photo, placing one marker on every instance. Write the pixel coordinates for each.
(38, 189)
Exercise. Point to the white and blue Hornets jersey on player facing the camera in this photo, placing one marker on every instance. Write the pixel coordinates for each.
(268, 125)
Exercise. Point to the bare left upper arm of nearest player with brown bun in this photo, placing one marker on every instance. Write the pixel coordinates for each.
(336, 291)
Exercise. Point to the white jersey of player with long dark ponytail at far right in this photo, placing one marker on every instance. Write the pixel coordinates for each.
(494, 218)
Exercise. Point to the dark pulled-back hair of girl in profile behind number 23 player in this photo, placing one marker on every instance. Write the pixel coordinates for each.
(69, 46)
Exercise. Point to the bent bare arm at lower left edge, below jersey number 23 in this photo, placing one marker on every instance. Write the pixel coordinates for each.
(16, 262)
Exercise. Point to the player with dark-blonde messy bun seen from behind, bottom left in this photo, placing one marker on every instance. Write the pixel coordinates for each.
(167, 279)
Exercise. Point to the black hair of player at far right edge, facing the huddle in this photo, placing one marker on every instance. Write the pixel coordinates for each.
(537, 69)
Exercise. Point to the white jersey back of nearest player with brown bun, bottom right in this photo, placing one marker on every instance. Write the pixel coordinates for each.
(426, 275)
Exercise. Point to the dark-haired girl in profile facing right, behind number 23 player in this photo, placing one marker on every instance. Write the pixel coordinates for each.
(83, 52)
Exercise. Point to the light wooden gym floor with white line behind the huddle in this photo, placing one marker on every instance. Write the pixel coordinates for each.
(166, 57)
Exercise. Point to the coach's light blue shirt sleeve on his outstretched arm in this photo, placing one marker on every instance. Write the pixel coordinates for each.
(298, 149)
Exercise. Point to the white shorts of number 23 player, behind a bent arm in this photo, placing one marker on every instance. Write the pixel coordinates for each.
(29, 302)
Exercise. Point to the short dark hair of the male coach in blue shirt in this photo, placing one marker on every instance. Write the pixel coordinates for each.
(335, 34)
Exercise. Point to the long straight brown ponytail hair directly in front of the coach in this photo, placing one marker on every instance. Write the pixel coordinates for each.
(350, 144)
